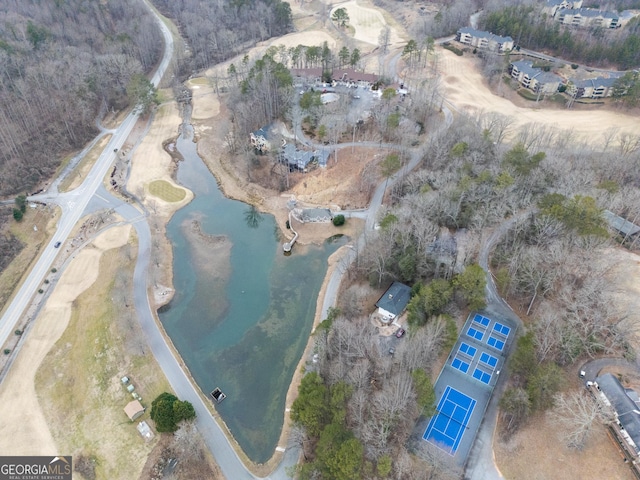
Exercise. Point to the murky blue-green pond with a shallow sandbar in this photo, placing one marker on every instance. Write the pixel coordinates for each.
(251, 348)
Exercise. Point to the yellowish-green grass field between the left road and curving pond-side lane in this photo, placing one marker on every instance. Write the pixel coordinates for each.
(78, 383)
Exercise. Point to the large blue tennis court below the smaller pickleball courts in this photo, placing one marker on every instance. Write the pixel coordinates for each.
(447, 427)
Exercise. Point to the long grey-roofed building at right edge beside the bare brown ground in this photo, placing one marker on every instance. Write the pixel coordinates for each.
(625, 409)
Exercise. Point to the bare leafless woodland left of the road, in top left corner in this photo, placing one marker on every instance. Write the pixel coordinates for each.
(60, 63)
